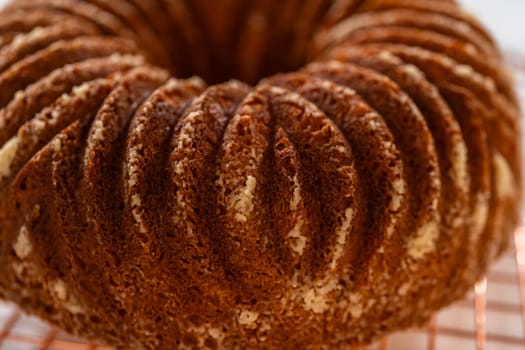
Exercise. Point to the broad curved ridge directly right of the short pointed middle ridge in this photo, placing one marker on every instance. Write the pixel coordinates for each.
(321, 142)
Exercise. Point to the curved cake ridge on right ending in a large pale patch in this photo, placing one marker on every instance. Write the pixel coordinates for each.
(423, 183)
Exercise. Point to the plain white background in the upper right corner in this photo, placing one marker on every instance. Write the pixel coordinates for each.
(505, 18)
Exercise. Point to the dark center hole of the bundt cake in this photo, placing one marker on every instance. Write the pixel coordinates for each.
(245, 55)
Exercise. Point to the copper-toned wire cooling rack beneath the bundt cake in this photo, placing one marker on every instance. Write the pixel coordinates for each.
(491, 317)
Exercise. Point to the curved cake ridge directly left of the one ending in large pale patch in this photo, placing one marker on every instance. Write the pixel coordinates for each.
(377, 160)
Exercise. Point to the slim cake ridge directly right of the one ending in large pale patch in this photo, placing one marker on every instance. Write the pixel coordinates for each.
(450, 147)
